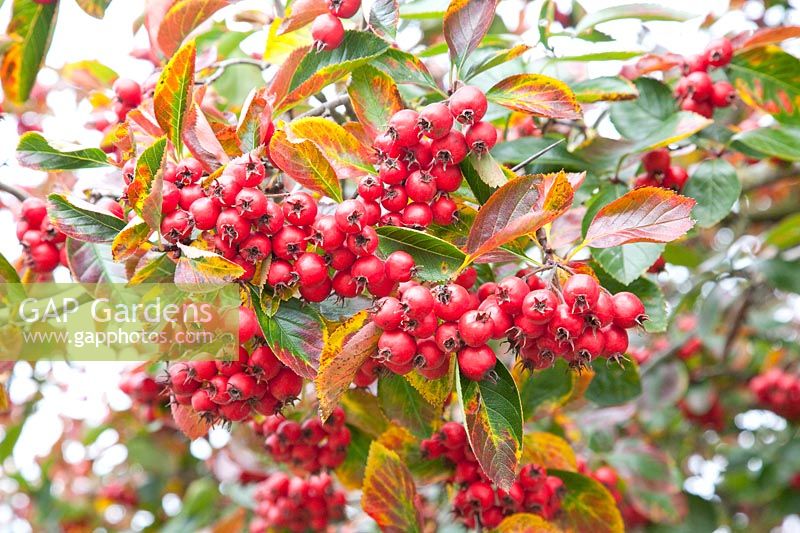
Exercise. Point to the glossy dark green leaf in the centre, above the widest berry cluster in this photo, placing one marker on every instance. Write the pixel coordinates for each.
(436, 259)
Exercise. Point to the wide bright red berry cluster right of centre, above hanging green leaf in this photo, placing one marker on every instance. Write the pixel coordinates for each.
(578, 322)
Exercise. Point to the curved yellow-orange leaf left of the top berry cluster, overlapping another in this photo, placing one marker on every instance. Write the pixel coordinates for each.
(348, 157)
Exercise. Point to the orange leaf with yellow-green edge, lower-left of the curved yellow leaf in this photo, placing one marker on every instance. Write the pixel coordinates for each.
(303, 162)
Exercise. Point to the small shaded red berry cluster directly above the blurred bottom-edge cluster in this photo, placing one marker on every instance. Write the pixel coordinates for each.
(309, 446)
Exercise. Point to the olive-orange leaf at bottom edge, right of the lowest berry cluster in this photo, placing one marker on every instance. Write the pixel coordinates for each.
(587, 505)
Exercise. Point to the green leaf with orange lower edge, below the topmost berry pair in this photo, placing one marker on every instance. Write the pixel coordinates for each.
(317, 70)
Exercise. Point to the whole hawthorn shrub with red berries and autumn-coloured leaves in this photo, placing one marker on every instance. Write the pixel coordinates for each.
(477, 290)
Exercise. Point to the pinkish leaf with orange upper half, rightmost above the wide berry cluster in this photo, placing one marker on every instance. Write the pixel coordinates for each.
(649, 214)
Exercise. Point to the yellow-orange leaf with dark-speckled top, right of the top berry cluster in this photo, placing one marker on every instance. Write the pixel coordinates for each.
(536, 95)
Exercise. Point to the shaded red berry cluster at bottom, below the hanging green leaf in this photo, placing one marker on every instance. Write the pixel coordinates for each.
(478, 501)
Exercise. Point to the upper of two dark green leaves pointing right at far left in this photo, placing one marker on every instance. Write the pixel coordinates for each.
(33, 151)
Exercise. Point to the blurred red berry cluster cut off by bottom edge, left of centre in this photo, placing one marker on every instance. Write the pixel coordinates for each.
(297, 504)
